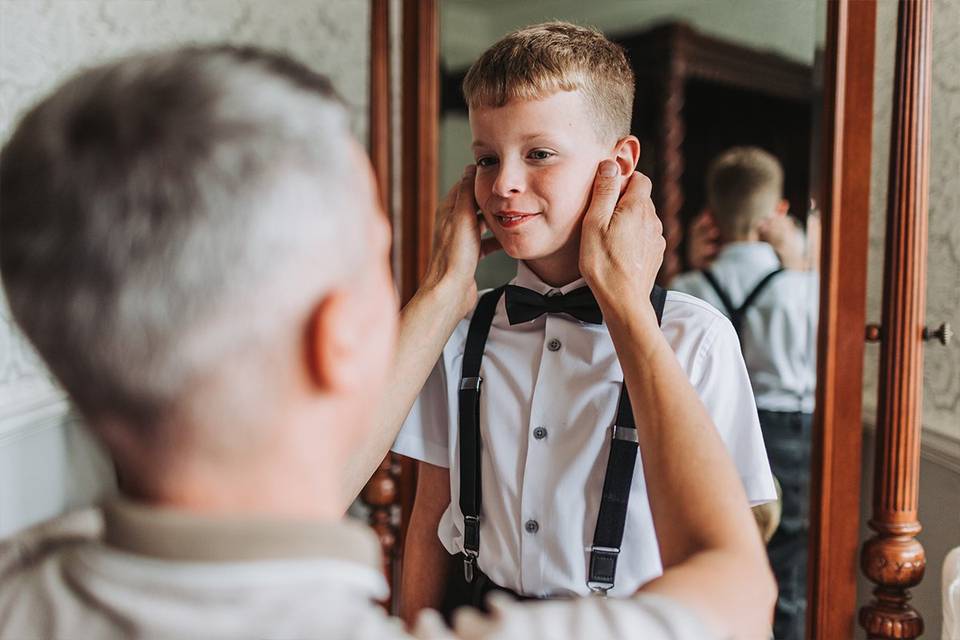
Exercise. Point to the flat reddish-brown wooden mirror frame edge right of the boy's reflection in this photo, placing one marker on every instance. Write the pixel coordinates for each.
(838, 431)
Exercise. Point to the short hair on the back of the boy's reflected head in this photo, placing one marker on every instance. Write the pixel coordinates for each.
(744, 185)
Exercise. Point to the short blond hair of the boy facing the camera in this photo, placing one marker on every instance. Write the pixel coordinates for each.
(537, 61)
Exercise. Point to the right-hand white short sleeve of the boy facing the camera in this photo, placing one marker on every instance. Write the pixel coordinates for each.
(722, 382)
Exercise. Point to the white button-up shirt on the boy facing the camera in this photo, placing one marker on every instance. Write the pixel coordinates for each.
(550, 391)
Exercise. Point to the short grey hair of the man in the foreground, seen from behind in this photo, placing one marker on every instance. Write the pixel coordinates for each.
(164, 218)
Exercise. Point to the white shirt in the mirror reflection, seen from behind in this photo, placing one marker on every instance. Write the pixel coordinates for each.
(779, 332)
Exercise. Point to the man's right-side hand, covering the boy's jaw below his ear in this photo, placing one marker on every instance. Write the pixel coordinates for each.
(621, 247)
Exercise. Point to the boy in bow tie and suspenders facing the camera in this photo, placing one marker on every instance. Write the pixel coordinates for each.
(547, 105)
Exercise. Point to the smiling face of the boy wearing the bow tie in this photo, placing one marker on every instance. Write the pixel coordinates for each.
(536, 162)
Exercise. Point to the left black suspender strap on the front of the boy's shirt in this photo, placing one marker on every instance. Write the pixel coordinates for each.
(469, 415)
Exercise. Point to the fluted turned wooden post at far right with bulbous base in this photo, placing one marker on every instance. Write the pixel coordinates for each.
(894, 559)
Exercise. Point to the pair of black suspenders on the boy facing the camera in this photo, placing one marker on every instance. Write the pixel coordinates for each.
(620, 465)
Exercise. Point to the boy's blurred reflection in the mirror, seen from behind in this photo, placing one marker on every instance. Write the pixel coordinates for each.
(760, 278)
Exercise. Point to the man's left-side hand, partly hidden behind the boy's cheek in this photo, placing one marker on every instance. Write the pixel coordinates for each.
(458, 246)
